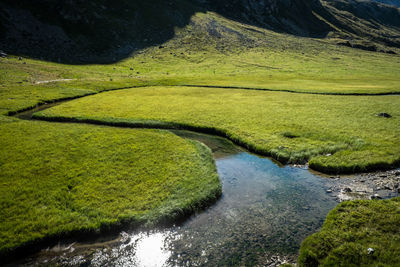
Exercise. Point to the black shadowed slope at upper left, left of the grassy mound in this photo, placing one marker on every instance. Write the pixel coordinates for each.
(83, 32)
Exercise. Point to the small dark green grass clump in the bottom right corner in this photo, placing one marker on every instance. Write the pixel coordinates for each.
(350, 229)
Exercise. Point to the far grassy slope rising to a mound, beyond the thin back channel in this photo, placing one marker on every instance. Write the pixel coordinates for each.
(243, 56)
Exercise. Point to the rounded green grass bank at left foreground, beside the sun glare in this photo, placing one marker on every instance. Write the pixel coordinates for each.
(57, 179)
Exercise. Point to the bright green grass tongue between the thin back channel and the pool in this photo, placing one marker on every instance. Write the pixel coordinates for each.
(335, 133)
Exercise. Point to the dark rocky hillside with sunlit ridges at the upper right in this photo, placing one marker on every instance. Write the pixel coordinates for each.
(347, 19)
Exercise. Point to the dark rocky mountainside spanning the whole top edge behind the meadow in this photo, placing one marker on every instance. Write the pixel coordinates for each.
(79, 31)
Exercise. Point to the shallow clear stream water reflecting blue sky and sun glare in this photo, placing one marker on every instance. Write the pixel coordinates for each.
(266, 210)
